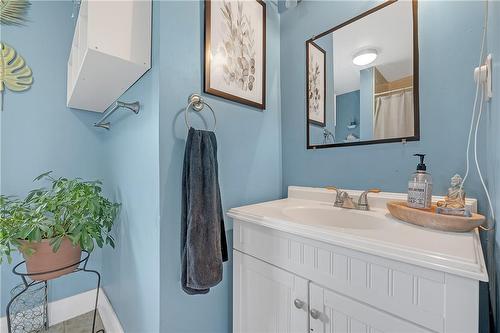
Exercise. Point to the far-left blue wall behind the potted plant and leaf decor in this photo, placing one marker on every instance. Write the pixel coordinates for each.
(38, 132)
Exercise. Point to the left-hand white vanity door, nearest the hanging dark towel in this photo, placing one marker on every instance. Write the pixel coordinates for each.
(267, 299)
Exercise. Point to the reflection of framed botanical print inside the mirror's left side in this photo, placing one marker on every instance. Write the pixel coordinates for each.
(316, 84)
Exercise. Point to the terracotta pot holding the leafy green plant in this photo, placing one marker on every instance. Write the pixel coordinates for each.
(44, 259)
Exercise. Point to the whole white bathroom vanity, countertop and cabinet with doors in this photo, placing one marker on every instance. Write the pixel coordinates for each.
(293, 277)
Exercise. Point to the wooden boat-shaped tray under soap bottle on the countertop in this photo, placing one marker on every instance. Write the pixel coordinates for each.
(429, 218)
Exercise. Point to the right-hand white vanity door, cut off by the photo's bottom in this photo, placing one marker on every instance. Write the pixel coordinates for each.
(333, 313)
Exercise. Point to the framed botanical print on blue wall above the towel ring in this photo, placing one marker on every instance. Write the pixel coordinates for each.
(235, 50)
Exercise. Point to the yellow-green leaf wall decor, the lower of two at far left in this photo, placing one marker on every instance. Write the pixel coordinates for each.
(15, 75)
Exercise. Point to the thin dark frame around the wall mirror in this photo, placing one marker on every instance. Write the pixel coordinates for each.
(416, 136)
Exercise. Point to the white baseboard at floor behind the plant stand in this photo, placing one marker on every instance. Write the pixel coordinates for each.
(77, 305)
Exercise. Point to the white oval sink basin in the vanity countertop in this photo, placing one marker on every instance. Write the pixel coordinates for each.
(325, 216)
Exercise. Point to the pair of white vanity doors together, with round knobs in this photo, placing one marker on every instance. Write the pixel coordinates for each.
(269, 299)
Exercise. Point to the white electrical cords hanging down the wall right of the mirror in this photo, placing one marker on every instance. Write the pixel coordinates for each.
(478, 85)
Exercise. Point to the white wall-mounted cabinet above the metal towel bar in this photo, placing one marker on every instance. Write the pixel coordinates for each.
(111, 50)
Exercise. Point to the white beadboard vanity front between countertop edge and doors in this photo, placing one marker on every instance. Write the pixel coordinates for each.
(423, 297)
